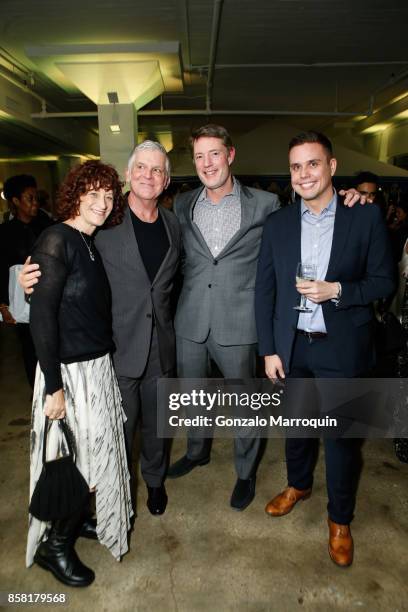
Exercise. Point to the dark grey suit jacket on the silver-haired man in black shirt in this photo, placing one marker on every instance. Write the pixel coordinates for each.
(135, 300)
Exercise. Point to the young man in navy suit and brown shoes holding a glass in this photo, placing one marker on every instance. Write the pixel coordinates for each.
(334, 339)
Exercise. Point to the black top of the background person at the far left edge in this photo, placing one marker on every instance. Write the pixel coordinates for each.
(17, 240)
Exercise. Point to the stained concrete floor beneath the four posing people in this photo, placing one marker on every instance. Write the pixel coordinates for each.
(201, 555)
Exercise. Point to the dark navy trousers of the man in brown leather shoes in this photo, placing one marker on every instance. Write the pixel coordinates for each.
(312, 359)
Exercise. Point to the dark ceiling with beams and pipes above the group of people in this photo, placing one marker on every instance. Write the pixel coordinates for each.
(315, 63)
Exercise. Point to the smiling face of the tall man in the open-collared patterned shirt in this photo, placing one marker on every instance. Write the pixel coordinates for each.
(212, 160)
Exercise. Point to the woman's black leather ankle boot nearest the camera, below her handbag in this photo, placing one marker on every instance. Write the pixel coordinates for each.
(57, 554)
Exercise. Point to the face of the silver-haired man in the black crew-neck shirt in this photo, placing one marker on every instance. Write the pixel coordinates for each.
(149, 176)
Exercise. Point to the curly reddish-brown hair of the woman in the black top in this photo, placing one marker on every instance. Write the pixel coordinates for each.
(83, 178)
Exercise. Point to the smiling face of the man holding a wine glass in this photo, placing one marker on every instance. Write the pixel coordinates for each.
(311, 172)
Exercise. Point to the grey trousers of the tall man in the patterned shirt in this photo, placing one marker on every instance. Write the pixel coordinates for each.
(233, 362)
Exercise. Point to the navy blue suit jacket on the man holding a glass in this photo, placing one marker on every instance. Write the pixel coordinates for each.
(360, 260)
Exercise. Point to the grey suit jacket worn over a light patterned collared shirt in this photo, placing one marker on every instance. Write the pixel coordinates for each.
(218, 293)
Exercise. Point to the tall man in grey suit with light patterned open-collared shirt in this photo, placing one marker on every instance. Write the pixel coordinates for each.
(221, 225)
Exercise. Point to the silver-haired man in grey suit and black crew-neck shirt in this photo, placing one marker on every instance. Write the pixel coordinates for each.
(141, 257)
